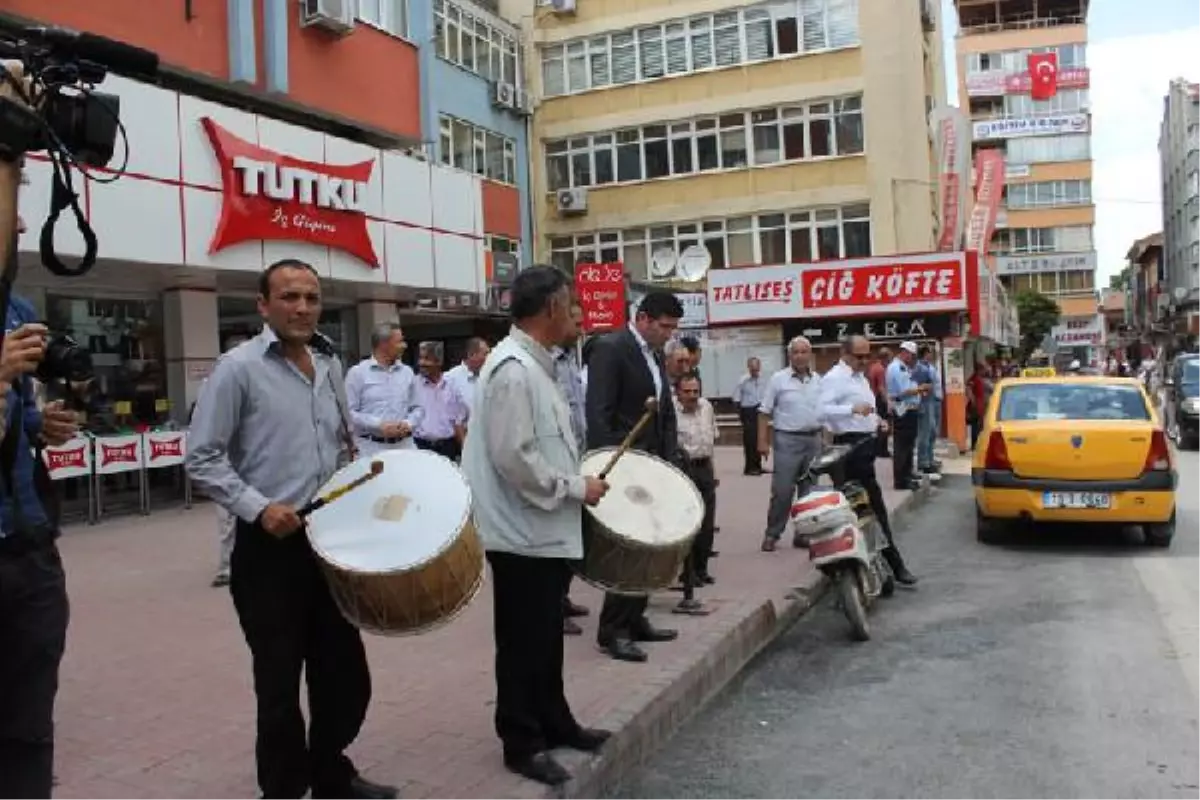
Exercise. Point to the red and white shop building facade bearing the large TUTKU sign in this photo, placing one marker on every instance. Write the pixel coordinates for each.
(235, 155)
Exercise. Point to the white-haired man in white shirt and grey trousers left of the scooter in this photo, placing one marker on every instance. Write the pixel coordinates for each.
(791, 406)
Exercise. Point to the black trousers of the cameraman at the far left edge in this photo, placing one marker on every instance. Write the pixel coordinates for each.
(34, 613)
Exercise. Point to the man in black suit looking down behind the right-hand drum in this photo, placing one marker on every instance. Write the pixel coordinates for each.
(625, 369)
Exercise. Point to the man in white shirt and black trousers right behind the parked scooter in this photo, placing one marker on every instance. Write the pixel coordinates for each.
(849, 406)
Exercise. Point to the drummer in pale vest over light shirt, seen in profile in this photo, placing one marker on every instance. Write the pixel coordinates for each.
(524, 466)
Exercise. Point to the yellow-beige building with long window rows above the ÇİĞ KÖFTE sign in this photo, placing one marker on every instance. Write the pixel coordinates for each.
(764, 134)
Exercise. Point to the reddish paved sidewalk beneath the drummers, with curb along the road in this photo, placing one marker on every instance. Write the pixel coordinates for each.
(157, 699)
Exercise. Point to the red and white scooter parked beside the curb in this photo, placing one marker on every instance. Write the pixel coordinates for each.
(845, 540)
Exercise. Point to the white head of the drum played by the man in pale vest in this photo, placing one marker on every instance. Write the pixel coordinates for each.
(649, 501)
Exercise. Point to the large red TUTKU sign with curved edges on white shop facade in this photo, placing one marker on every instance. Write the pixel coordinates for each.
(268, 196)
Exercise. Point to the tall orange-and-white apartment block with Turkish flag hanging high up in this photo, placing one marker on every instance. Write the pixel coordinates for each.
(1045, 237)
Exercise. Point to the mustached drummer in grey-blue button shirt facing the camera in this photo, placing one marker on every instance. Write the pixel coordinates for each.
(269, 431)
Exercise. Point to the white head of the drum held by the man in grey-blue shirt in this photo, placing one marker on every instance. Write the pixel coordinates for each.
(395, 522)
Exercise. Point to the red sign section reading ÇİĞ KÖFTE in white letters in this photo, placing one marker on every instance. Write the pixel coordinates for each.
(889, 285)
